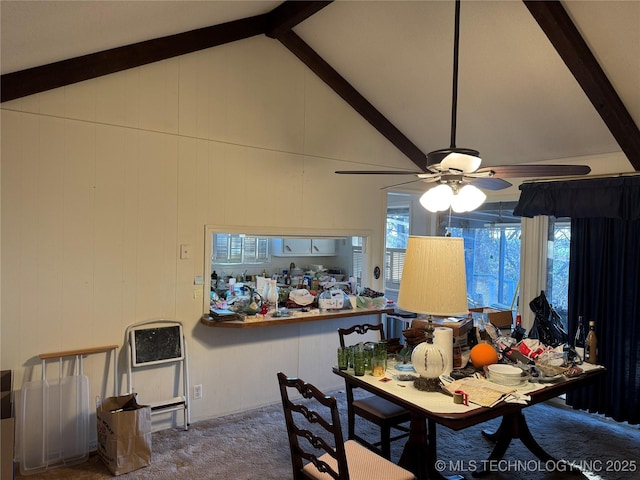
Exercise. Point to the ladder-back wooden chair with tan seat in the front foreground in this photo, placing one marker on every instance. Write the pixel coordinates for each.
(318, 450)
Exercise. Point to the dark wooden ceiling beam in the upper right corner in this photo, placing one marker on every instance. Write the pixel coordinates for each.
(574, 51)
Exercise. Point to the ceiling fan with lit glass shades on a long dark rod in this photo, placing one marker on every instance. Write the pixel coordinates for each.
(457, 167)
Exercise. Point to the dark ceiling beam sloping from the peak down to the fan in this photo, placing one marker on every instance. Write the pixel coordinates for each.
(350, 95)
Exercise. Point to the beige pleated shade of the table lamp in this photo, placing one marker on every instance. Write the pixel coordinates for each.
(433, 280)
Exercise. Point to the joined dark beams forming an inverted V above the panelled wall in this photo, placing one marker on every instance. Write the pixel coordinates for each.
(276, 24)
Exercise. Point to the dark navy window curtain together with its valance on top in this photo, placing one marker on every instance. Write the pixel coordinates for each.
(604, 279)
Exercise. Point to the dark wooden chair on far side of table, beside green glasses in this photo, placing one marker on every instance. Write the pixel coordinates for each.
(385, 414)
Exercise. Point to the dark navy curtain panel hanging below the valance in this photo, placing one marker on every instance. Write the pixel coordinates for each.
(603, 286)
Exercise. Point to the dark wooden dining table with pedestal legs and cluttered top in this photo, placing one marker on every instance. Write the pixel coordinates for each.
(429, 409)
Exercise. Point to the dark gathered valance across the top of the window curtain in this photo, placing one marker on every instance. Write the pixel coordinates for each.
(617, 197)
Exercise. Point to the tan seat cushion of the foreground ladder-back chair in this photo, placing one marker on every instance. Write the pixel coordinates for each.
(363, 464)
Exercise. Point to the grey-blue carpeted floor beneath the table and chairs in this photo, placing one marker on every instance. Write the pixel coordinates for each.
(253, 445)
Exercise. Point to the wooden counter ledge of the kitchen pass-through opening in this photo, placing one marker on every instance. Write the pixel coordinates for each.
(293, 316)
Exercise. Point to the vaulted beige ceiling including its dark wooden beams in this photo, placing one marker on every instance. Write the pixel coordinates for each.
(538, 81)
